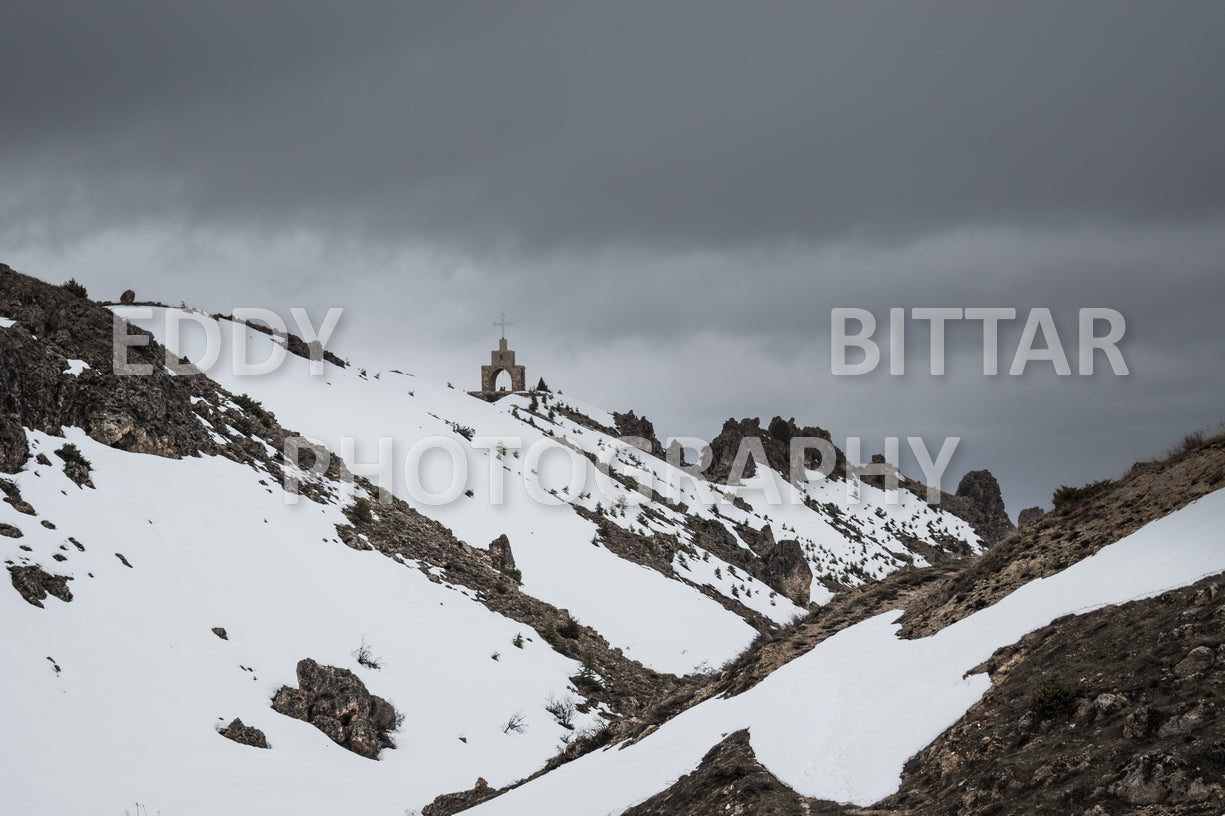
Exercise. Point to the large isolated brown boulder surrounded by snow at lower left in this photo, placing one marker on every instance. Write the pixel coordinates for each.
(337, 703)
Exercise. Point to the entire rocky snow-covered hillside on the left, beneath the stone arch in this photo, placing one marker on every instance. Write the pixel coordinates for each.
(141, 514)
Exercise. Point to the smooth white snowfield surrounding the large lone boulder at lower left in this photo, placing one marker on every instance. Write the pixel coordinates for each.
(116, 697)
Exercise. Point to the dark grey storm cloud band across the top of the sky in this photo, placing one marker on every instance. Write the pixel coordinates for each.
(563, 124)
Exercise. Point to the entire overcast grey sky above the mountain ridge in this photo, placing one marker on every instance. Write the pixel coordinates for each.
(667, 199)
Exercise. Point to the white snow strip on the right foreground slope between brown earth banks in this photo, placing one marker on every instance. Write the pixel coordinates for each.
(840, 722)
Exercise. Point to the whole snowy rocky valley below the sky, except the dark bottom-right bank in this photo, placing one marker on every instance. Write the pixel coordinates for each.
(165, 585)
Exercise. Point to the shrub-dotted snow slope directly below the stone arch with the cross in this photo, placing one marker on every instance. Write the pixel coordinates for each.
(692, 589)
